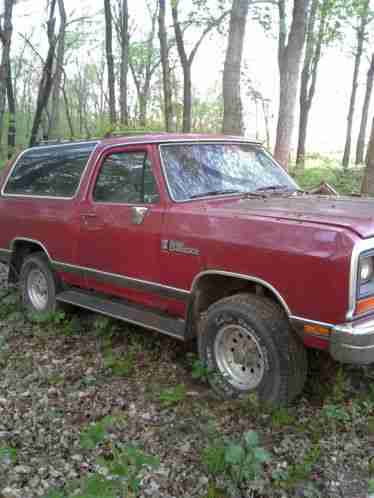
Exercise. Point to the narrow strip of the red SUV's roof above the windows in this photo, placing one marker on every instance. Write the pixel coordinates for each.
(152, 138)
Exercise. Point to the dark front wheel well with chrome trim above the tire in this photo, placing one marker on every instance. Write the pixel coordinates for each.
(211, 285)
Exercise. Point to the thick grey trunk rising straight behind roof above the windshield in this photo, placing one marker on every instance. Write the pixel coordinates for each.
(232, 104)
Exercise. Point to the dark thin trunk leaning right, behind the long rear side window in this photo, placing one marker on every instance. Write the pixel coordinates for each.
(46, 81)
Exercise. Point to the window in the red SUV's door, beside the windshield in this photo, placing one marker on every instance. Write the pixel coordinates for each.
(126, 177)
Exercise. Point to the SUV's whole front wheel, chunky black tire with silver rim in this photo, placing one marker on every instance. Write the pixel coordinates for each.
(281, 361)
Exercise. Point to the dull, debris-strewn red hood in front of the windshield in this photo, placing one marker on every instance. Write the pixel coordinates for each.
(354, 214)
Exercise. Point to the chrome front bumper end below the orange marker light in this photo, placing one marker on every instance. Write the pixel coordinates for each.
(353, 342)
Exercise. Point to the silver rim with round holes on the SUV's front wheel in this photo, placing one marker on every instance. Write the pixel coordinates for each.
(239, 357)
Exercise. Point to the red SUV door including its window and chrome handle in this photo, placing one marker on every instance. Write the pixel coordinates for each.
(121, 221)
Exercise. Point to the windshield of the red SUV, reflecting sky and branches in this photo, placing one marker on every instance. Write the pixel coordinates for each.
(198, 170)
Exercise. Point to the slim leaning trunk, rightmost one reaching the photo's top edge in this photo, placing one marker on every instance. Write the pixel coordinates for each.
(360, 46)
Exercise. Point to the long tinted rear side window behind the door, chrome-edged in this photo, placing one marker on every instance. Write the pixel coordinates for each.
(49, 171)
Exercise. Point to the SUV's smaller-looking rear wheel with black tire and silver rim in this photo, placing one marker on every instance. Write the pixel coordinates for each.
(33, 265)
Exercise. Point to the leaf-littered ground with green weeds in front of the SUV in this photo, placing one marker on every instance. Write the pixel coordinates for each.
(82, 398)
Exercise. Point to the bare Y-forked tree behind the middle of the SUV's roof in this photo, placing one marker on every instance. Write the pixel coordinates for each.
(187, 60)
